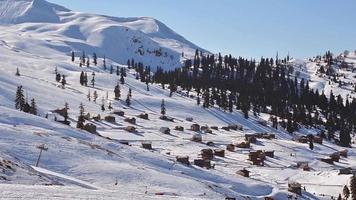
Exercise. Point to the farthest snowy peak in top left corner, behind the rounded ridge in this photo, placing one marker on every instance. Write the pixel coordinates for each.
(20, 11)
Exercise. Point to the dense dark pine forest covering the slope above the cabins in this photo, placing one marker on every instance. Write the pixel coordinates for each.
(265, 86)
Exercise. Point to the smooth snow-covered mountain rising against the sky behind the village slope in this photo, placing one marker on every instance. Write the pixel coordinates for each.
(48, 25)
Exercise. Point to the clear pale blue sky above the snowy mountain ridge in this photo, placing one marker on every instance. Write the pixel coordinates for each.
(248, 28)
